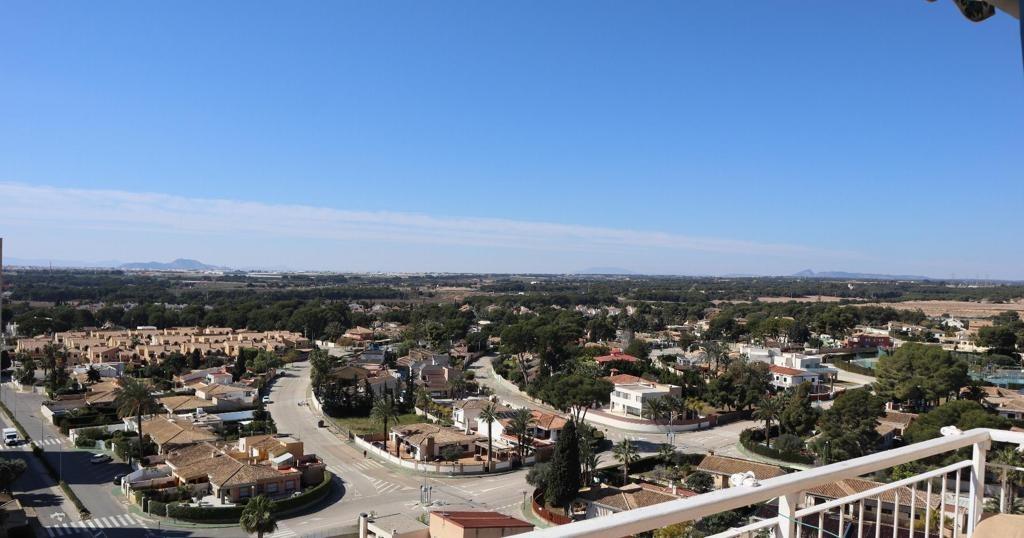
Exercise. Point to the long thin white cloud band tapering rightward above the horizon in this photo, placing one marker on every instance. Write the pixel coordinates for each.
(112, 212)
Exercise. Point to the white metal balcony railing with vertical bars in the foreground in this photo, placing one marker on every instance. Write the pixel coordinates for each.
(935, 504)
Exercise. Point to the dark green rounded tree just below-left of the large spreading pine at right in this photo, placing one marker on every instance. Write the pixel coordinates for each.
(848, 428)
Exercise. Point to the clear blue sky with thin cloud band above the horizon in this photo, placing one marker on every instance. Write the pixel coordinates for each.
(666, 138)
